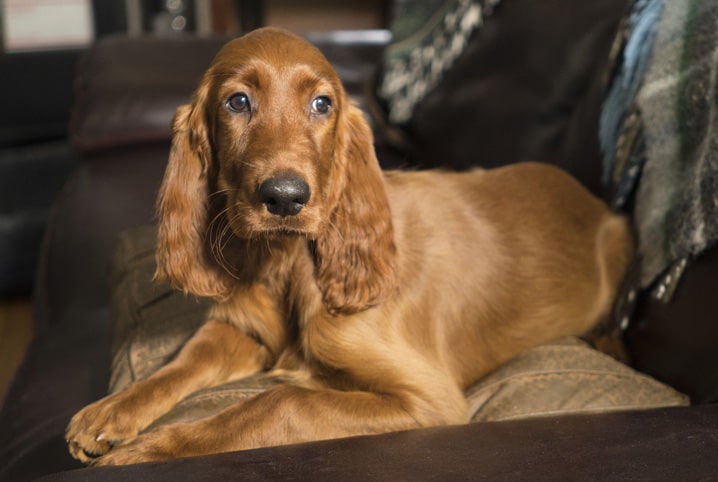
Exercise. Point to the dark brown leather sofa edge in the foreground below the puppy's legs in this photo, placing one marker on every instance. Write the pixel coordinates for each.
(663, 444)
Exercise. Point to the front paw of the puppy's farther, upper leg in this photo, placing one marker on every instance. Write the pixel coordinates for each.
(95, 429)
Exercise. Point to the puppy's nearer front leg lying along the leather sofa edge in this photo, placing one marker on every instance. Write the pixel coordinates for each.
(283, 415)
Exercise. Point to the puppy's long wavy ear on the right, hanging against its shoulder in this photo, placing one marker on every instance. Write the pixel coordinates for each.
(355, 255)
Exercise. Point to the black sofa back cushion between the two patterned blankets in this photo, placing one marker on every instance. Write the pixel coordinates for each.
(527, 87)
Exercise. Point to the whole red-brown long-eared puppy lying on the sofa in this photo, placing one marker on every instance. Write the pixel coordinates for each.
(379, 296)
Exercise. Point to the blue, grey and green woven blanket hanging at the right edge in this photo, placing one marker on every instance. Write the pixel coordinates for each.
(658, 133)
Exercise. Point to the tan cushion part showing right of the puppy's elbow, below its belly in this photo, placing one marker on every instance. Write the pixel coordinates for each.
(565, 376)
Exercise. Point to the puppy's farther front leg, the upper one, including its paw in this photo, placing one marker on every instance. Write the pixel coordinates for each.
(216, 353)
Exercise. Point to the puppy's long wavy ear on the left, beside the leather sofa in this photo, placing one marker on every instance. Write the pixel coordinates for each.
(182, 206)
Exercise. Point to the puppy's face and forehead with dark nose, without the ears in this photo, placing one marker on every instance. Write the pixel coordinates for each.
(273, 107)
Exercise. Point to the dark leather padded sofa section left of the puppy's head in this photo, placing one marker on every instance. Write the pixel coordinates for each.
(127, 88)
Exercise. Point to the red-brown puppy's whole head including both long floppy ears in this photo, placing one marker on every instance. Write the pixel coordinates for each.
(271, 146)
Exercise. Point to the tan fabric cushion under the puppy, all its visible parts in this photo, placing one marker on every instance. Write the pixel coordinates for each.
(152, 321)
